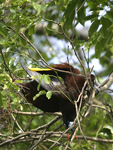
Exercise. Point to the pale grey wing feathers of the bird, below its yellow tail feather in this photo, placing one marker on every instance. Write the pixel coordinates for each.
(55, 84)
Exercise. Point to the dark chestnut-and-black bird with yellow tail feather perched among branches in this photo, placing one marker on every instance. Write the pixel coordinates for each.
(66, 83)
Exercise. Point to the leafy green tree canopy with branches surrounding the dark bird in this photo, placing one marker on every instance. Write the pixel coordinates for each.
(43, 32)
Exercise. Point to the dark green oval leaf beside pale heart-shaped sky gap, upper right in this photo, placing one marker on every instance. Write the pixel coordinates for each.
(94, 27)
